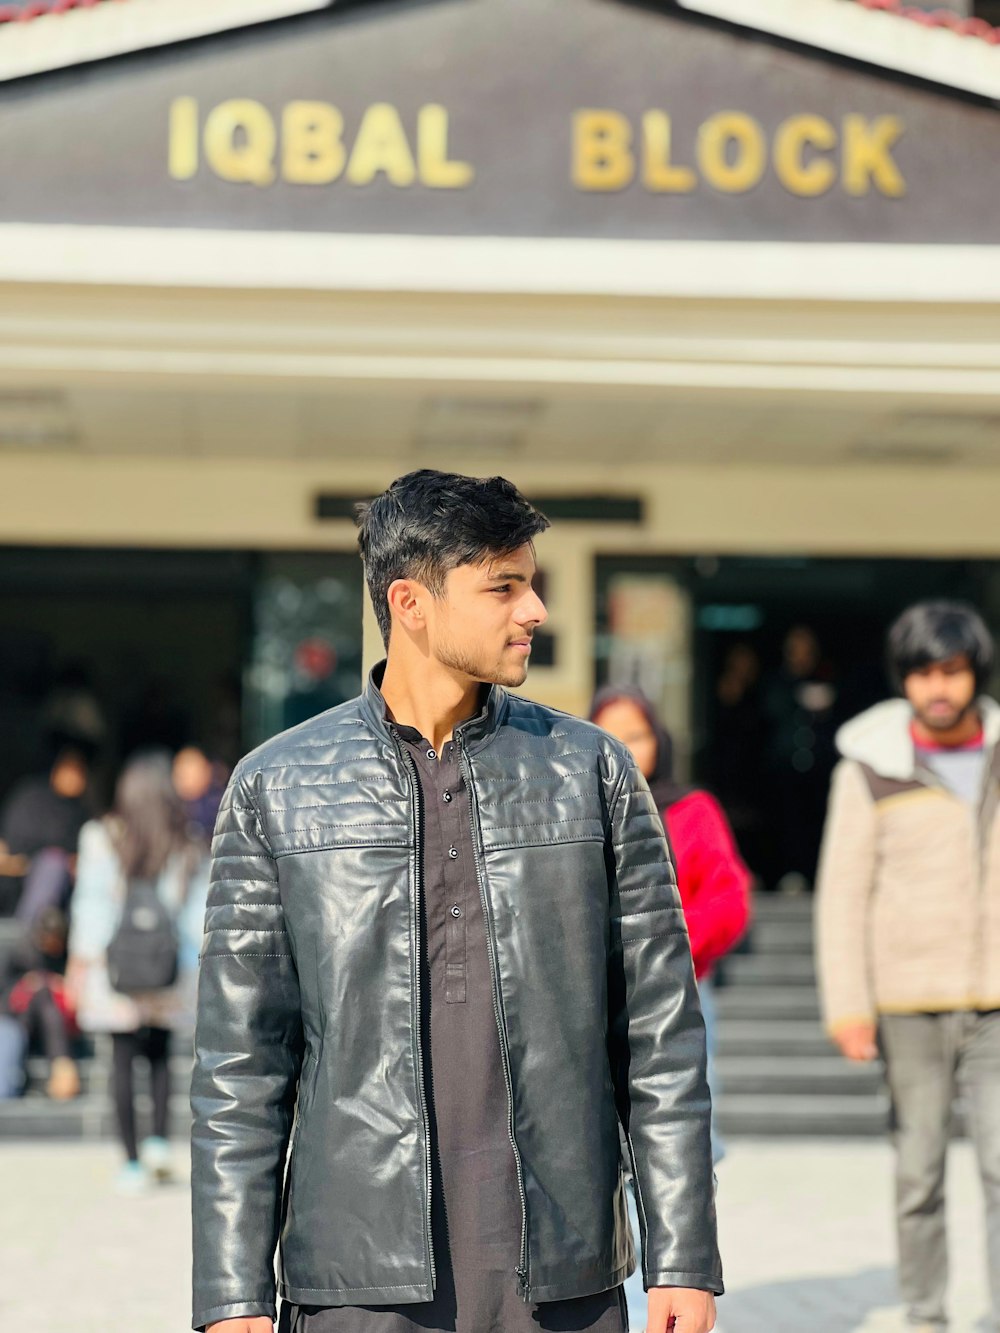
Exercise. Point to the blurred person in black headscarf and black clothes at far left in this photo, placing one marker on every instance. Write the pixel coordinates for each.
(41, 824)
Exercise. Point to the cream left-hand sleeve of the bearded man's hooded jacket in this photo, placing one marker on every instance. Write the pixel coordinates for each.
(843, 898)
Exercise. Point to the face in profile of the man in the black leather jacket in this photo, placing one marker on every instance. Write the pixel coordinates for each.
(483, 623)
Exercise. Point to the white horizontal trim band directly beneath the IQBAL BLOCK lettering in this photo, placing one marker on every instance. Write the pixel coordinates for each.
(539, 267)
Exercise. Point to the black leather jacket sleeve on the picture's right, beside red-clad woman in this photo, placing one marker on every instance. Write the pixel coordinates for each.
(657, 1040)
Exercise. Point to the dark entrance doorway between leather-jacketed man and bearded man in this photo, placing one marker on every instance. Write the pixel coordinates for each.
(757, 662)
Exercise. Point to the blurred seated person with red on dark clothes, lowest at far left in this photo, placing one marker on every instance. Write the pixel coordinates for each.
(37, 1011)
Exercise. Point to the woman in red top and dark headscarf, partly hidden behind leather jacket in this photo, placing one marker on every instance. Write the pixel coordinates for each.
(715, 886)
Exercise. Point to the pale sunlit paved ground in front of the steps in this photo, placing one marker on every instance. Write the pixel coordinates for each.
(807, 1240)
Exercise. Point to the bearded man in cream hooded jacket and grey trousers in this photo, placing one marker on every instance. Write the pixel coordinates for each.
(909, 915)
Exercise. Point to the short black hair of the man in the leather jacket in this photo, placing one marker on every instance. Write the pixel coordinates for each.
(430, 523)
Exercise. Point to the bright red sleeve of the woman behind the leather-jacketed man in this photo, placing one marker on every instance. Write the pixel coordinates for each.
(718, 904)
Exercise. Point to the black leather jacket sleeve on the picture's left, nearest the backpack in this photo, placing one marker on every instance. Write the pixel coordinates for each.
(247, 1062)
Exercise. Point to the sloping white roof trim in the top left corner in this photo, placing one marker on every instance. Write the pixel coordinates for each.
(78, 37)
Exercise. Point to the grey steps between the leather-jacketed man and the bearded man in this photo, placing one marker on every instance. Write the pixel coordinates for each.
(778, 1071)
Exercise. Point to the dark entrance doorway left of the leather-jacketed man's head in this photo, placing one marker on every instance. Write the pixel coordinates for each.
(133, 649)
